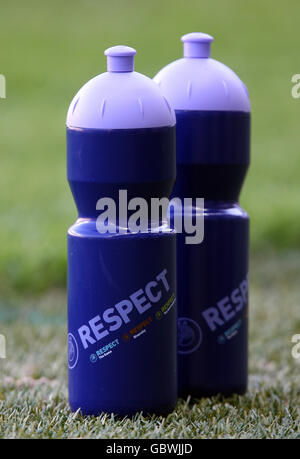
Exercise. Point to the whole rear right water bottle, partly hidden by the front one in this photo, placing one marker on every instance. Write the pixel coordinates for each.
(213, 136)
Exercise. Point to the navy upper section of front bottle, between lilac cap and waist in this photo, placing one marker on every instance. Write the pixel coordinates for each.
(102, 162)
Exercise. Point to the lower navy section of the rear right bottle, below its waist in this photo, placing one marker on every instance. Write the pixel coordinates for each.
(213, 305)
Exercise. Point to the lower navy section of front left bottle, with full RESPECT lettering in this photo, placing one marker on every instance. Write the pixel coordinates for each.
(117, 289)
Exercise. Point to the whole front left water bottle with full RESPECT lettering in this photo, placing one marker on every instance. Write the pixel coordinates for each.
(121, 284)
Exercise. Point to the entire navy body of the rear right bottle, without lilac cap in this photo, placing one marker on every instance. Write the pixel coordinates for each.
(212, 161)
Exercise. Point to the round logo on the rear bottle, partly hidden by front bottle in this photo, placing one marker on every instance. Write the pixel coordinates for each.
(189, 335)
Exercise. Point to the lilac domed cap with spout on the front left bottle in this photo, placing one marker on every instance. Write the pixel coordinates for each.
(120, 98)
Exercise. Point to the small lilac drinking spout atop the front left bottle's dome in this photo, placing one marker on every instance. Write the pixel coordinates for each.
(120, 58)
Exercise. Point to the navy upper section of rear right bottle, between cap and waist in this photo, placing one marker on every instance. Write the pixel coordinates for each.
(212, 154)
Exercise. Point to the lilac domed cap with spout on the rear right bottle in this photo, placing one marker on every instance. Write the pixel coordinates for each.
(198, 82)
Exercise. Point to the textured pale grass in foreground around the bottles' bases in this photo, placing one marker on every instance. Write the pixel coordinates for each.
(33, 384)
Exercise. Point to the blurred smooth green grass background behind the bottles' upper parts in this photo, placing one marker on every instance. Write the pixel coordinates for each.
(49, 49)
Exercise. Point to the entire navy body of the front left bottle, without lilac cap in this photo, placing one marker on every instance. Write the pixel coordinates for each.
(121, 286)
